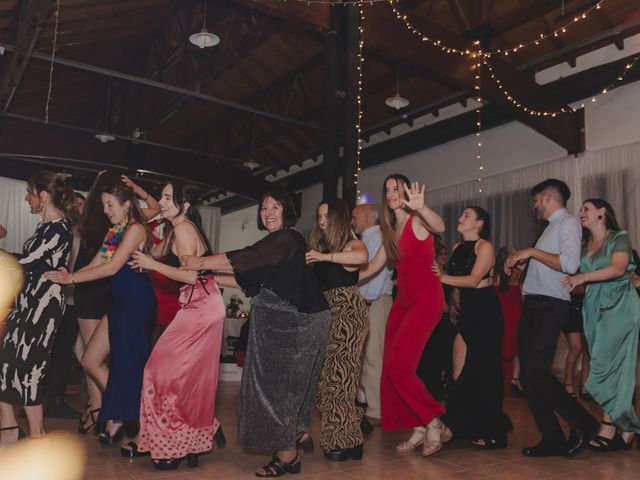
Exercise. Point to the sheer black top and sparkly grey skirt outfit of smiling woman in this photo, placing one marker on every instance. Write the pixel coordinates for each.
(288, 330)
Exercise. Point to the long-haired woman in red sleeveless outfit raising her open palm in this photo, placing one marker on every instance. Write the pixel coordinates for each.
(407, 236)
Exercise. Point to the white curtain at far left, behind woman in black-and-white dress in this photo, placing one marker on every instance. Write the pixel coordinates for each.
(15, 215)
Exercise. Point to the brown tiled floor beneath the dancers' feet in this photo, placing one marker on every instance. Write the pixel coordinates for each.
(457, 461)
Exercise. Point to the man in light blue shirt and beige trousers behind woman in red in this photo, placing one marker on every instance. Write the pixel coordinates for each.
(377, 293)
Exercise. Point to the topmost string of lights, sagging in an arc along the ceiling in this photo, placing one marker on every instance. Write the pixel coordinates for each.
(504, 51)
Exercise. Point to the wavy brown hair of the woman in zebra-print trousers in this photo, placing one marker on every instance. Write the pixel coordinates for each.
(338, 231)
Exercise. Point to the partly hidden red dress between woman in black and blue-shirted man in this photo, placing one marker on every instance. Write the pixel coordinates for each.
(511, 303)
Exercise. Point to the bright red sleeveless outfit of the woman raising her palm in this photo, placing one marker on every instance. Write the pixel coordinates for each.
(416, 311)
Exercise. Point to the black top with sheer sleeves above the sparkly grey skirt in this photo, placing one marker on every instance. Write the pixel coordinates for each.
(277, 262)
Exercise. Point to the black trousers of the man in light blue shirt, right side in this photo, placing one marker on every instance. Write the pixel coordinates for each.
(543, 318)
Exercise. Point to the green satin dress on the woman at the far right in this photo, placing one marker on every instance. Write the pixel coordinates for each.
(611, 312)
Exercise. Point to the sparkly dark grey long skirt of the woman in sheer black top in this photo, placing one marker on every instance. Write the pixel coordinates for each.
(282, 368)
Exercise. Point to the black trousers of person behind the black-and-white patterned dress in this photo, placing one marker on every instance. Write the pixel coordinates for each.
(60, 369)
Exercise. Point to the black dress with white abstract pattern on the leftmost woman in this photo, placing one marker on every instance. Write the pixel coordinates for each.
(31, 327)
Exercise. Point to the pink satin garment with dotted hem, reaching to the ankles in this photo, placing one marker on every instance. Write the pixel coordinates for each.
(177, 408)
